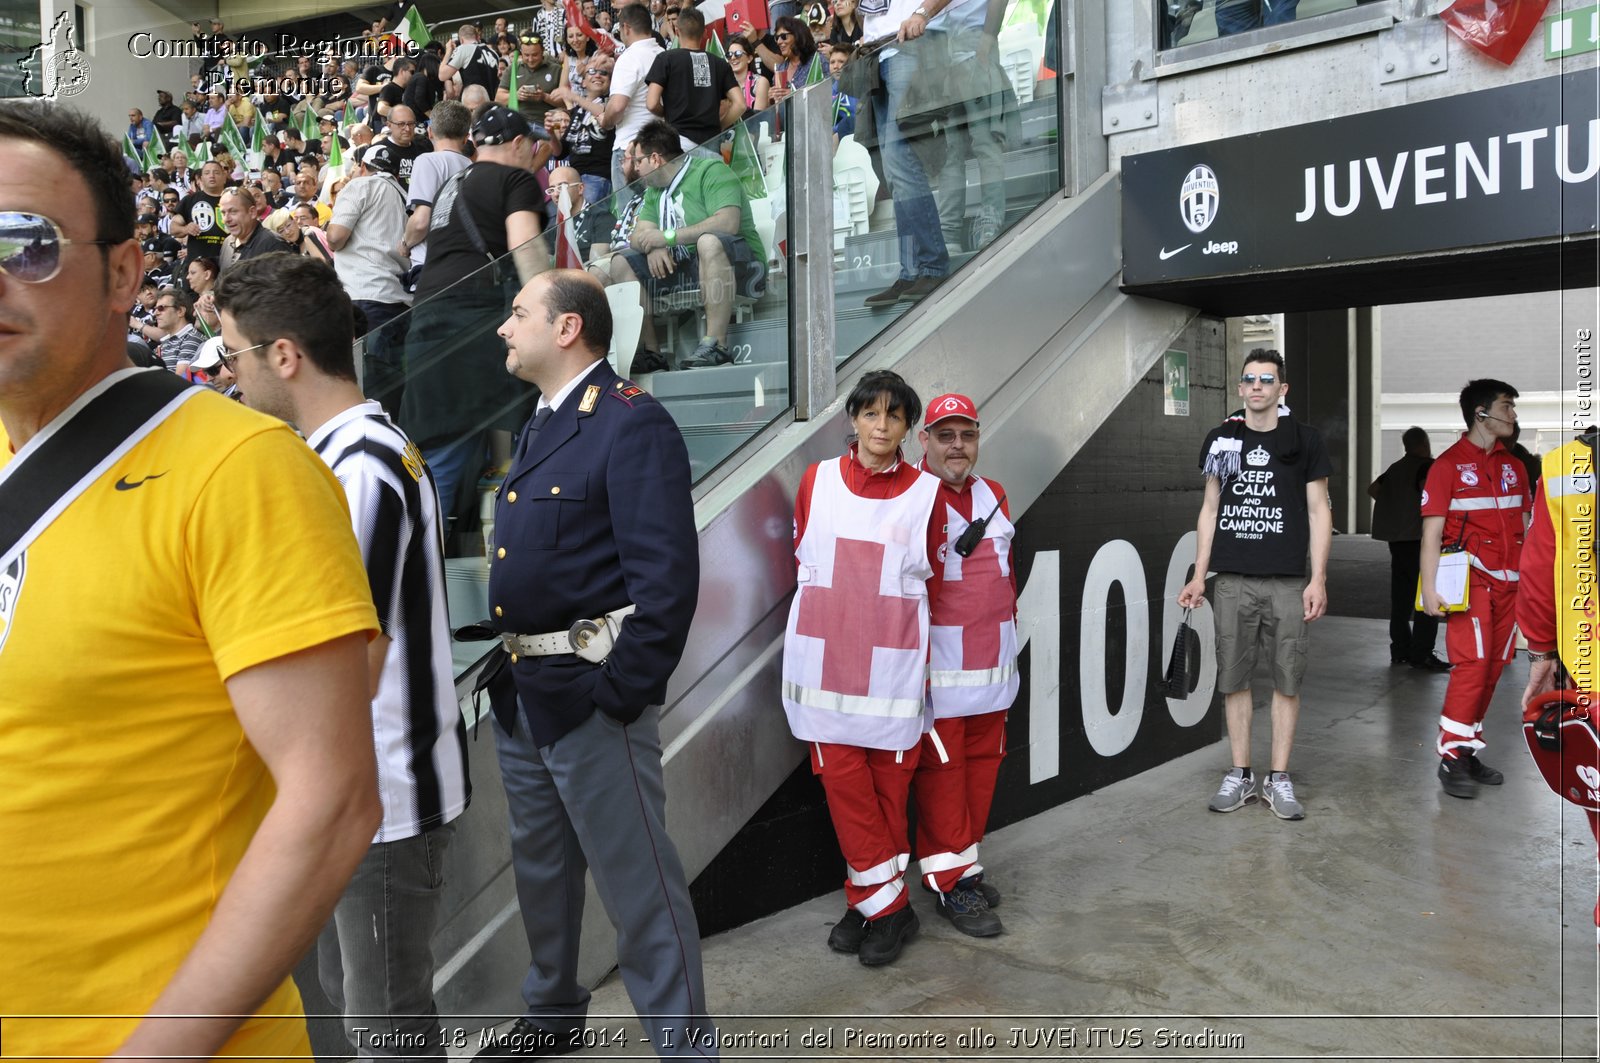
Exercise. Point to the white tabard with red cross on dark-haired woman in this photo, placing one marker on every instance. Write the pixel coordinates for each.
(857, 648)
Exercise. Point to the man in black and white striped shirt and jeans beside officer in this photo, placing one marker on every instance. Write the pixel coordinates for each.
(289, 332)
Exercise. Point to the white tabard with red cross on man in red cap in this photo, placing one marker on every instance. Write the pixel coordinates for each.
(974, 659)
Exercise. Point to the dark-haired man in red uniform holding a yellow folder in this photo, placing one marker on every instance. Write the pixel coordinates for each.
(1476, 500)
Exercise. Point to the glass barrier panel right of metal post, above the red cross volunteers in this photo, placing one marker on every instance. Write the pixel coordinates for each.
(942, 145)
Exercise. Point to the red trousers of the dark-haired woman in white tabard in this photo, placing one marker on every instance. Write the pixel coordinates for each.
(866, 798)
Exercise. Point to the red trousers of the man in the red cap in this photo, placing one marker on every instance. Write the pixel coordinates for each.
(954, 788)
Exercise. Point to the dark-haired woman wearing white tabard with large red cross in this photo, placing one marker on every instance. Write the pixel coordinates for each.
(857, 654)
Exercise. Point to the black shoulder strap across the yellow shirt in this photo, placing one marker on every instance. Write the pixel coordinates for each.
(44, 481)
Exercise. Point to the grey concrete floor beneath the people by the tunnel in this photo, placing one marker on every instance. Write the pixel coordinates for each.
(1393, 923)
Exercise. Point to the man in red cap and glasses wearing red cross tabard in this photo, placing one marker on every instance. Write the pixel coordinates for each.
(972, 670)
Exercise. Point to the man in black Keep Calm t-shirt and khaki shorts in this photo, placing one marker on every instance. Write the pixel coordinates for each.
(1266, 507)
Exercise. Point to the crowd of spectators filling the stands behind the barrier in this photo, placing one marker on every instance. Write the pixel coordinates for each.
(630, 114)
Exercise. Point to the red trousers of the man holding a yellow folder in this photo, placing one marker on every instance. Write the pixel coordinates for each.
(1481, 646)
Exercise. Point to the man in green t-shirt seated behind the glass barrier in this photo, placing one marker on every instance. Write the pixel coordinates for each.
(695, 228)
